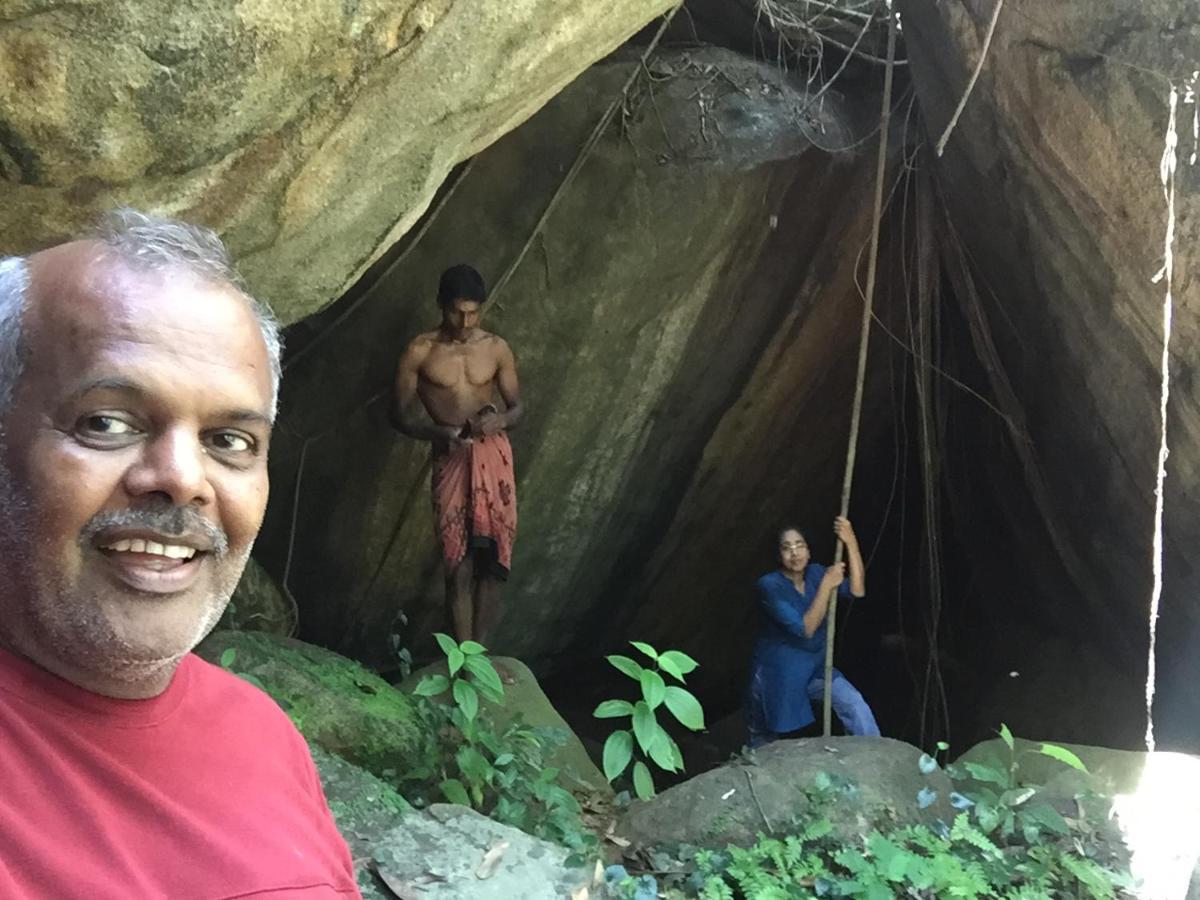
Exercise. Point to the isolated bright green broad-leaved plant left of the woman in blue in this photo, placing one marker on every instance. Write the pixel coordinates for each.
(646, 736)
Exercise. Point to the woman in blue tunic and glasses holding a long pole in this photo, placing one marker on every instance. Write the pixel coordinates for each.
(788, 670)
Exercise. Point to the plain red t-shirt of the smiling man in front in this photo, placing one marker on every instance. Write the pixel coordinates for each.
(207, 791)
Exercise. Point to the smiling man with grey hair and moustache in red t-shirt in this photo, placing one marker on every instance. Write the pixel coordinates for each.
(139, 385)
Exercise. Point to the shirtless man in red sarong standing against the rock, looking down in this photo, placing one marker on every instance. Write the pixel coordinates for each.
(454, 373)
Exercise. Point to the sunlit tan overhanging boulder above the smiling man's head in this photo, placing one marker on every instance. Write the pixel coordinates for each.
(310, 139)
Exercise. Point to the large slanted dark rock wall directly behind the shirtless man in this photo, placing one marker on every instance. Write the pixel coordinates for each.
(689, 310)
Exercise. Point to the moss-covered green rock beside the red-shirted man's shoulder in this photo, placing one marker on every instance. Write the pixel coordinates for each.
(335, 703)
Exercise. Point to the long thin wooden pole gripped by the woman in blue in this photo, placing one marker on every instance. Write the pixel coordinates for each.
(865, 339)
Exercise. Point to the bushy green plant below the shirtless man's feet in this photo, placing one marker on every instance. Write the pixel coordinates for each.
(501, 773)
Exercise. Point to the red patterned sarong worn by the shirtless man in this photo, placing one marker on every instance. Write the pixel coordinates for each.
(476, 503)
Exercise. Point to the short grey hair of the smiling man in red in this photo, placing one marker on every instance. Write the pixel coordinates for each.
(149, 244)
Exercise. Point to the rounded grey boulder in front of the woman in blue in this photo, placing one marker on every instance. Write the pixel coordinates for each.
(877, 781)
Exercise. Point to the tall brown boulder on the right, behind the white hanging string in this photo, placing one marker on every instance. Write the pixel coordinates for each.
(1052, 179)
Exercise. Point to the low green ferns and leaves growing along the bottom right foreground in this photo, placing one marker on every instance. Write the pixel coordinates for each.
(1003, 844)
